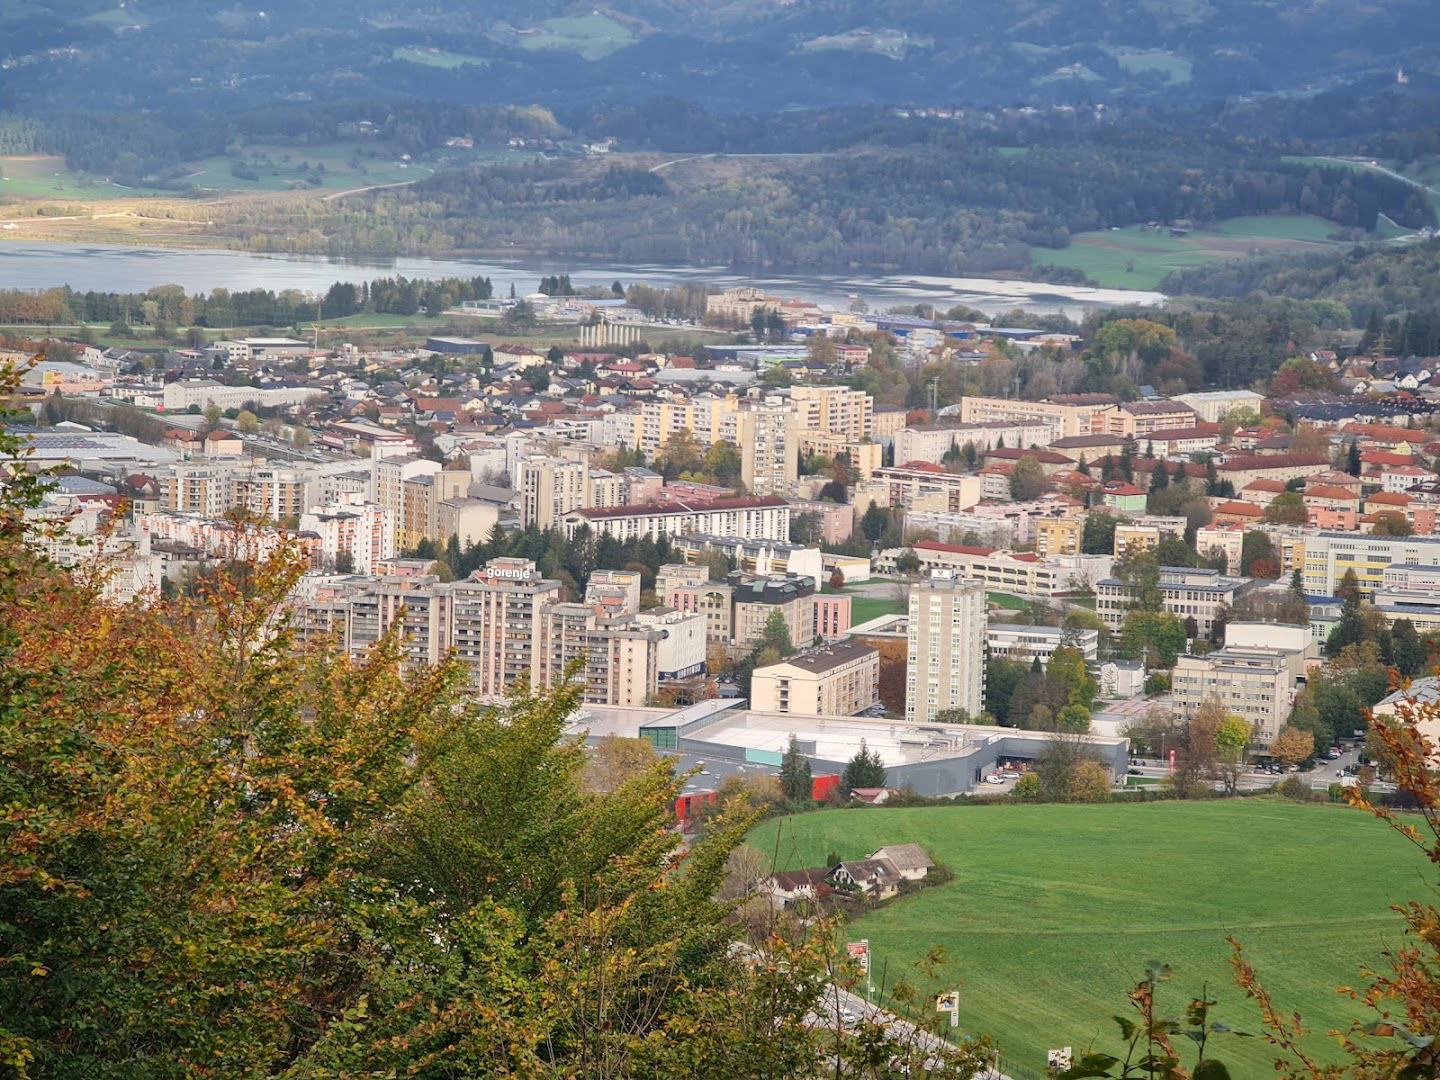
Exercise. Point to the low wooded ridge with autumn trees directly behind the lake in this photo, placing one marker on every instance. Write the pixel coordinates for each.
(944, 208)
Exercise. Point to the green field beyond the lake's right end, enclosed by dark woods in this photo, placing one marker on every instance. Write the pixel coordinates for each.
(1140, 258)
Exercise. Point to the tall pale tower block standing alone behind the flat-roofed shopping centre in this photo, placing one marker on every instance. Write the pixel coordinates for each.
(945, 662)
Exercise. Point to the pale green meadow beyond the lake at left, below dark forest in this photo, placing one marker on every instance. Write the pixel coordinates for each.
(323, 168)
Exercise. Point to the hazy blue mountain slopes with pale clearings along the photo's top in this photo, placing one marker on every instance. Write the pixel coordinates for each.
(731, 55)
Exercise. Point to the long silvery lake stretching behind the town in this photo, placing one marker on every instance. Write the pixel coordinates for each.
(135, 270)
